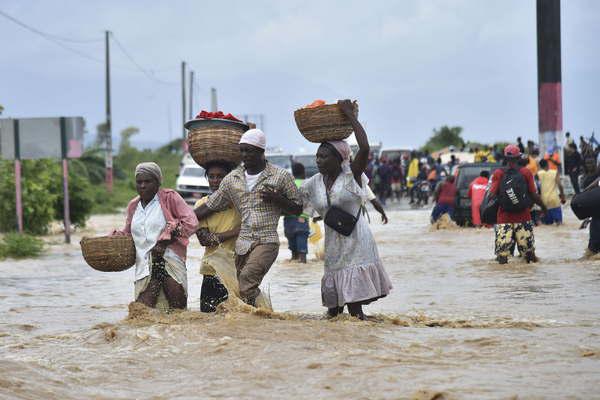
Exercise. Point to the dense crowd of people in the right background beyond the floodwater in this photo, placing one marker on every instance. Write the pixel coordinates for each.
(416, 176)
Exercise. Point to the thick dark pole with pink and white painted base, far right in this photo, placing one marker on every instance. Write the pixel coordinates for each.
(549, 75)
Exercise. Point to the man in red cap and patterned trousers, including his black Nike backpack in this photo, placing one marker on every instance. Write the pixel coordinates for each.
(515, 189)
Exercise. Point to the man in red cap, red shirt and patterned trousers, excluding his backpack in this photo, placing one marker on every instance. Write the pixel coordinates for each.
(515, 226)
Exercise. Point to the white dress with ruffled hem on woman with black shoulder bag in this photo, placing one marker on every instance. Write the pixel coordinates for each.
(353, 270)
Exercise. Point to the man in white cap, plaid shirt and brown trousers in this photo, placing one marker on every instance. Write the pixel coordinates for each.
(261, 193)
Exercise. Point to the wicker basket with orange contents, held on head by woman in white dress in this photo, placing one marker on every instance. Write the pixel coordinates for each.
(324, 123)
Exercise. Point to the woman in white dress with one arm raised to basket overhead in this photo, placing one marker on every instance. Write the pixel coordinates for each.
(354, 275)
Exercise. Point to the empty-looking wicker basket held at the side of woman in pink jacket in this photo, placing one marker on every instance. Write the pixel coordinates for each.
(108, 253)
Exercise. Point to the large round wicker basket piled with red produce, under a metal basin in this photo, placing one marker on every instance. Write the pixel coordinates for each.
(215, 140)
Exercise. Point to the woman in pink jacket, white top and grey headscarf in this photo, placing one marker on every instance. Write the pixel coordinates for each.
(160, 223)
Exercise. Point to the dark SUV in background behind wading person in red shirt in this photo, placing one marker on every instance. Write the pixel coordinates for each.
(466, 174)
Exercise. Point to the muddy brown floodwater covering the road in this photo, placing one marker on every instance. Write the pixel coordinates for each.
(456, 326)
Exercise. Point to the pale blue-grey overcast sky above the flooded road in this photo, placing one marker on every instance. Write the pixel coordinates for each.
(412, 65)
